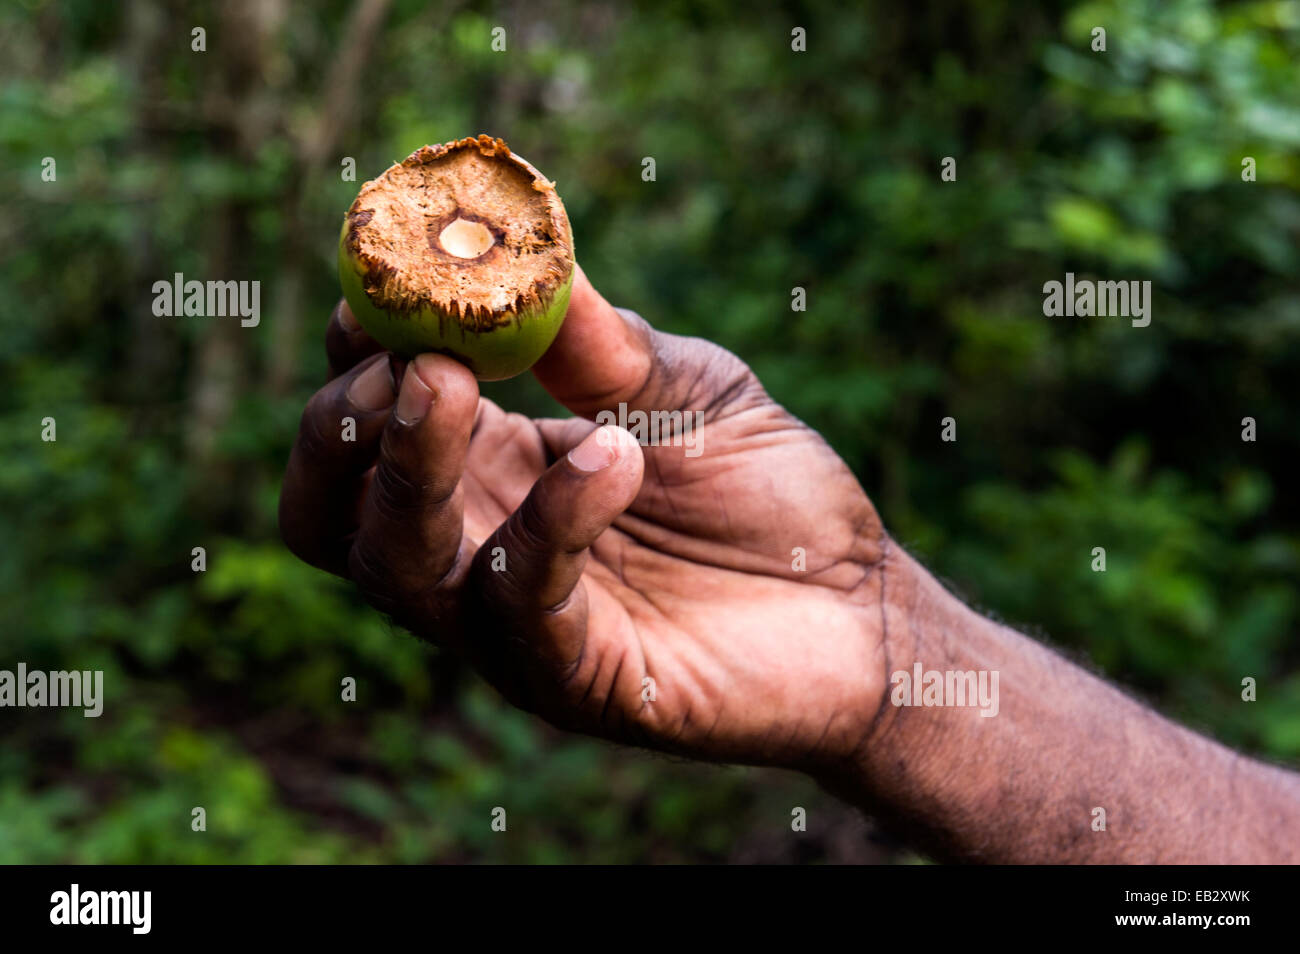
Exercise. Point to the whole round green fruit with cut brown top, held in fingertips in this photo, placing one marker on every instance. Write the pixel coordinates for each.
(462, 249)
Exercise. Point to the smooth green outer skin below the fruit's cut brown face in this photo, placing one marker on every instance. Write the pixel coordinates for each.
(493, 355)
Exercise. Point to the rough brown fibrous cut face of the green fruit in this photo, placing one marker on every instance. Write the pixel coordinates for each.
(467, 229)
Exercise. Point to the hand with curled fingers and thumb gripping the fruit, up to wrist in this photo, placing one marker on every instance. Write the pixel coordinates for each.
(647, 595)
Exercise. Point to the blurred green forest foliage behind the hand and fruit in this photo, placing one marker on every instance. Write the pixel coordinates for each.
(775, 170)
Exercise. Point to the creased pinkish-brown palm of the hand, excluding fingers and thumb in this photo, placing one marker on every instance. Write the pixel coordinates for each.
(701, 583)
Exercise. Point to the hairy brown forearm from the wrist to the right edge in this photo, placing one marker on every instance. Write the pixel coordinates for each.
(1024, 786)
